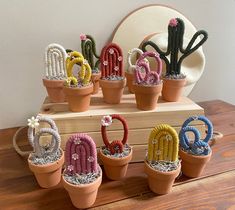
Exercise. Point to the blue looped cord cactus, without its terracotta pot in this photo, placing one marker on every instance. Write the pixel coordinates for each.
(197, 147)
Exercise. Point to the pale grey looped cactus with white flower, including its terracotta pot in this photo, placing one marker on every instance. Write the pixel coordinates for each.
(46, 160)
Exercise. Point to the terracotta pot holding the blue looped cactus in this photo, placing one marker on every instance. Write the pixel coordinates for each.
(193, 165)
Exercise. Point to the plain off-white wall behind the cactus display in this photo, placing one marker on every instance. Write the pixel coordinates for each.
(28, 26)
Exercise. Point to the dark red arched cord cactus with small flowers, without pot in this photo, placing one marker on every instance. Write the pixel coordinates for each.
(111, 61)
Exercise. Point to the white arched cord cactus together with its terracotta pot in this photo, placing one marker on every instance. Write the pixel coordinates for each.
(55, 57)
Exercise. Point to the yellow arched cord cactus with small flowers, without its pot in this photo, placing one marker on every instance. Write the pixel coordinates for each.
(163, 144)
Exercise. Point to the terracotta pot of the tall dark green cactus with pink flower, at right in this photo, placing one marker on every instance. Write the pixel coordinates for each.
(172, 89)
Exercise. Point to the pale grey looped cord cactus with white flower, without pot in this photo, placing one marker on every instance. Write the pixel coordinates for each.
(54, 146)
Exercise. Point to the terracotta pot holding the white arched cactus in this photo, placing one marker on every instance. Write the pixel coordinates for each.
(55, 90)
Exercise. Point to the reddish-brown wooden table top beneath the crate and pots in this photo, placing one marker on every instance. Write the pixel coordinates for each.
(215, 189)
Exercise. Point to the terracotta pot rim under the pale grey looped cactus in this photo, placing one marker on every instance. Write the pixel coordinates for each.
(54, 165)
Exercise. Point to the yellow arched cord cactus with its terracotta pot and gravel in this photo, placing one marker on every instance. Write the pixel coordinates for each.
(162, 165)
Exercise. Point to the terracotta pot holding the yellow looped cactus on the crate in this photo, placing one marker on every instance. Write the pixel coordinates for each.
(79, 98)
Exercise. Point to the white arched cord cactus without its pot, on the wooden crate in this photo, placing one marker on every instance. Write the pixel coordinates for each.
(55, 57)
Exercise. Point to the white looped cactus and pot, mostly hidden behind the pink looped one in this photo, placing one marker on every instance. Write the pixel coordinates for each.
(130, 69)
